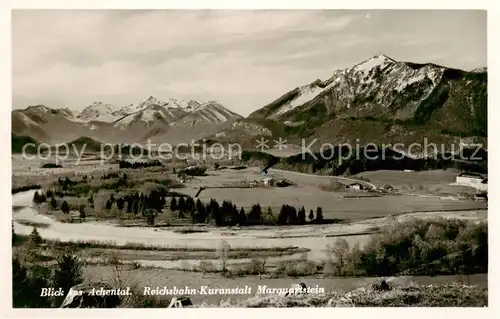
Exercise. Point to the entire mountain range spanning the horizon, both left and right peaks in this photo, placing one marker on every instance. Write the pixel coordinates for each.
(380, 100)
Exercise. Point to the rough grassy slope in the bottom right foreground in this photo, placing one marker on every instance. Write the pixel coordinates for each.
(412, 295)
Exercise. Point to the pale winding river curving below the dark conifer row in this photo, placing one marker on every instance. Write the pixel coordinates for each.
(316, 238)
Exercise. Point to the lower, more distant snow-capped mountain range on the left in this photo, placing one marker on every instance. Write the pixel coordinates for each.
(173, 121)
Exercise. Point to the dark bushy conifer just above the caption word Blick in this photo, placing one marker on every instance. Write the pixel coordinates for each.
(68, 272)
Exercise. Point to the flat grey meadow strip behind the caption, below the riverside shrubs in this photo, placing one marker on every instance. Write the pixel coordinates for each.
(148, 277)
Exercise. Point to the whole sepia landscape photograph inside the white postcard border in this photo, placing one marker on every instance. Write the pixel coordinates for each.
(248, 158)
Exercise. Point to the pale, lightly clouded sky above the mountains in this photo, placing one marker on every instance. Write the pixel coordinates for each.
(244, 59)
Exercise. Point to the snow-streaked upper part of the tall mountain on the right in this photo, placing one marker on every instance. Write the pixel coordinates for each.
(378, 81)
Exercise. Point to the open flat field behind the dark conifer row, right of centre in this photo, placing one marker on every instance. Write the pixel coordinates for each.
(307, 193)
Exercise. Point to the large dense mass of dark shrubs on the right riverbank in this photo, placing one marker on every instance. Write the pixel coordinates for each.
(417, 247)
